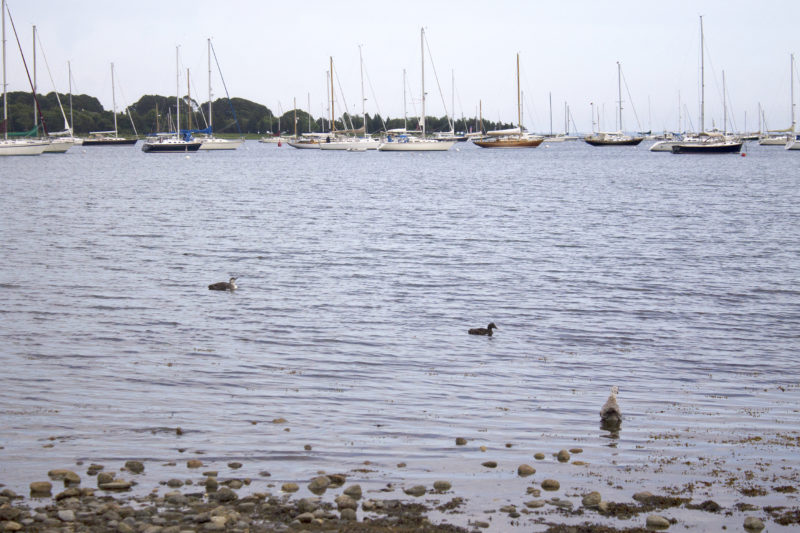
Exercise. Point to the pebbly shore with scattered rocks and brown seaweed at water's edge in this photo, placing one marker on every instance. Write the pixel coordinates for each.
(125, 499)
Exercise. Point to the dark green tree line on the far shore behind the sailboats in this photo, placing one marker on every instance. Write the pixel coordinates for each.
(153, 113)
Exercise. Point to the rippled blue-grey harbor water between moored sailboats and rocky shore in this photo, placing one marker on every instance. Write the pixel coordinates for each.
(676, 278)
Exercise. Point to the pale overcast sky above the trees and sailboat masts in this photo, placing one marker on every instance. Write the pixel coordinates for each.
(274, 52)
